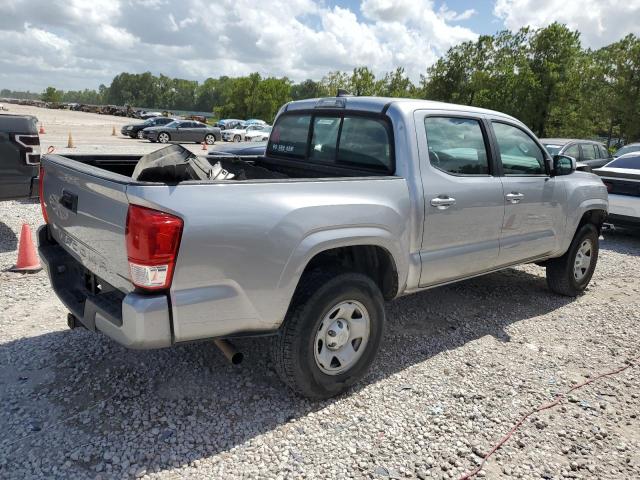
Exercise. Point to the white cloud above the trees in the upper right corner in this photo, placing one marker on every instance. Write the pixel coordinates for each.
(600, 22)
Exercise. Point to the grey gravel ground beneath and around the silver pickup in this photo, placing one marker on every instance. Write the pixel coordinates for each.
(458, 367)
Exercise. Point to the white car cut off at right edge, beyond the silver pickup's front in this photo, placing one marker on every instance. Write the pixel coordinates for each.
(622, 179)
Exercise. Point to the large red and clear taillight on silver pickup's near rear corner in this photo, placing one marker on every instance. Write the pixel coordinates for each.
(153, 239)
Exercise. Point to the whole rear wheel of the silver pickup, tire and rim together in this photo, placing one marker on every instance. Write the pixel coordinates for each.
(331, 334)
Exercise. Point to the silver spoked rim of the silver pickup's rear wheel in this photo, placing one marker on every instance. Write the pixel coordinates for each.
(342, 337)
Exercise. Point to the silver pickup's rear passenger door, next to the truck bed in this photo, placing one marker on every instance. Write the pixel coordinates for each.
(464, 204)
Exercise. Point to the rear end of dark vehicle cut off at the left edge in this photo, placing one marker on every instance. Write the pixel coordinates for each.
(19, 156)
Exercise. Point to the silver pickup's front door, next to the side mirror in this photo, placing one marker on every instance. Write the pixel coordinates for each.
(534, 217)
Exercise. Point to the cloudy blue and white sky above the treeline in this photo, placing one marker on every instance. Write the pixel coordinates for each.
(76, 44)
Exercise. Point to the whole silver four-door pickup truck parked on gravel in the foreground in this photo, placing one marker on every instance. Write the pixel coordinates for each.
(356, 201)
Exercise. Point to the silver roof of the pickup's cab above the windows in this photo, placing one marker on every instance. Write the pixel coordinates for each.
(379, 104)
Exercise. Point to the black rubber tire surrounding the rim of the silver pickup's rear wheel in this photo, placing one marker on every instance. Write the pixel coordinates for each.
(292, 350)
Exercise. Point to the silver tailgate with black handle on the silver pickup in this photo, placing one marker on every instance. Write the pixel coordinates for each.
(87, 211)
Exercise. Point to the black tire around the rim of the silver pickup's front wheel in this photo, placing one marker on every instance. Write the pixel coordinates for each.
(560, 271)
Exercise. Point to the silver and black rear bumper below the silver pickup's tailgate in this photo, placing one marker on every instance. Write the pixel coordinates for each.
(134, 320)
